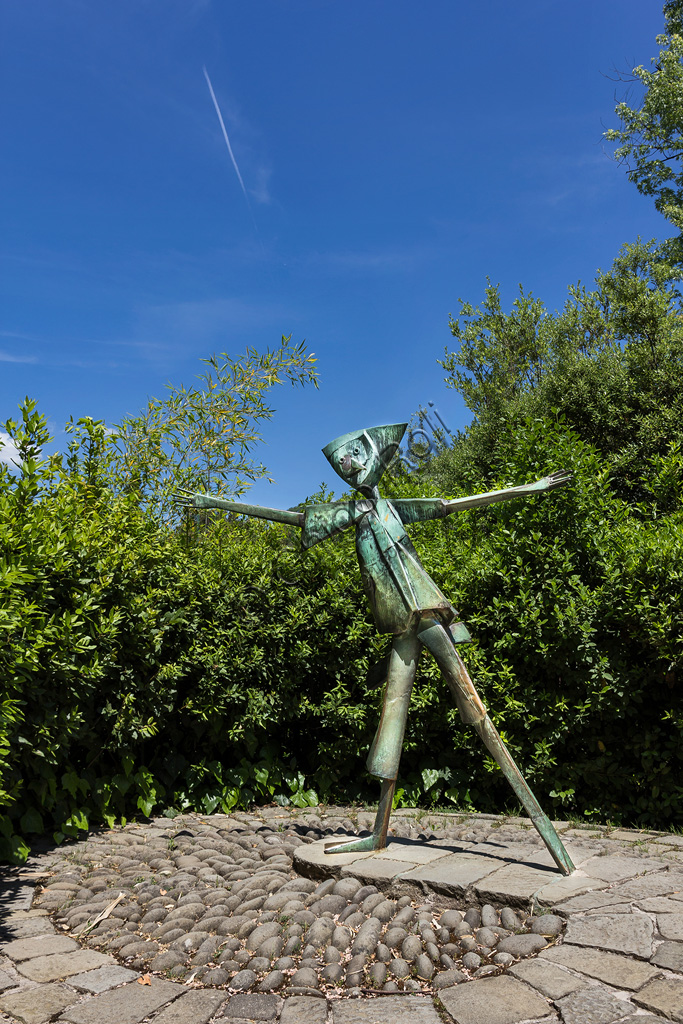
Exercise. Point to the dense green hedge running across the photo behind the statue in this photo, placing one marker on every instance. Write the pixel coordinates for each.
(147, 671)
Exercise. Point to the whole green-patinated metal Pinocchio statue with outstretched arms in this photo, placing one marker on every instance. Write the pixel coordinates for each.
(406, 603)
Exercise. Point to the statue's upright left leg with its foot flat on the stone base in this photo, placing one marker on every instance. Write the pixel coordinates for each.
(386, 753)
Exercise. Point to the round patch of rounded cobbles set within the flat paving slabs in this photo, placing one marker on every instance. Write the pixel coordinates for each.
(216, 902)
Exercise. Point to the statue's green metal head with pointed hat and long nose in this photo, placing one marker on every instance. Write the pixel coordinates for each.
(362, 457)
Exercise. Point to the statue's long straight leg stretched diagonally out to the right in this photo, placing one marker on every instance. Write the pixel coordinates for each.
(440, 643)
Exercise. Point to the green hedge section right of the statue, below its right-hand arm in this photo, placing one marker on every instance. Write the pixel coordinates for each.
(575, 602)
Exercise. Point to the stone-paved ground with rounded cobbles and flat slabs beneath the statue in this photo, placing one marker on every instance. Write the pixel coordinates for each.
(243, 918)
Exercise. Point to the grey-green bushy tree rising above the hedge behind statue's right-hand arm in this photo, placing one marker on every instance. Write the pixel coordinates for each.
(610, 364)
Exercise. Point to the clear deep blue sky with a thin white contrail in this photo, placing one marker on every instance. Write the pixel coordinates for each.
(394, 154)
